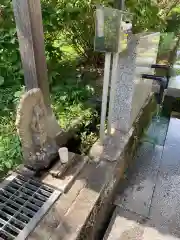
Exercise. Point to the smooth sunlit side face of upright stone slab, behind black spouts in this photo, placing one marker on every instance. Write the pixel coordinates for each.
(147, 50)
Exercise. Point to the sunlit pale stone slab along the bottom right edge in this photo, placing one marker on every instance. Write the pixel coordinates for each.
(127, 225)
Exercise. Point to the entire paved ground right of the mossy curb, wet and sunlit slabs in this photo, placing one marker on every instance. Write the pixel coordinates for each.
(149, 207)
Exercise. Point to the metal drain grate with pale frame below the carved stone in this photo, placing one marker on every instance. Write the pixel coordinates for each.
(23, 202)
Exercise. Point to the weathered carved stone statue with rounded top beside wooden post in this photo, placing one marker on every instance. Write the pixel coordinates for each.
(38, 147)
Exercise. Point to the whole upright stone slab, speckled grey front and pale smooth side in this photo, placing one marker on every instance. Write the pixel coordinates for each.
(131, 91)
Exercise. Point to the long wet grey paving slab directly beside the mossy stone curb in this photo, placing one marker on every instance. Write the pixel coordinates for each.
(138, 195)
